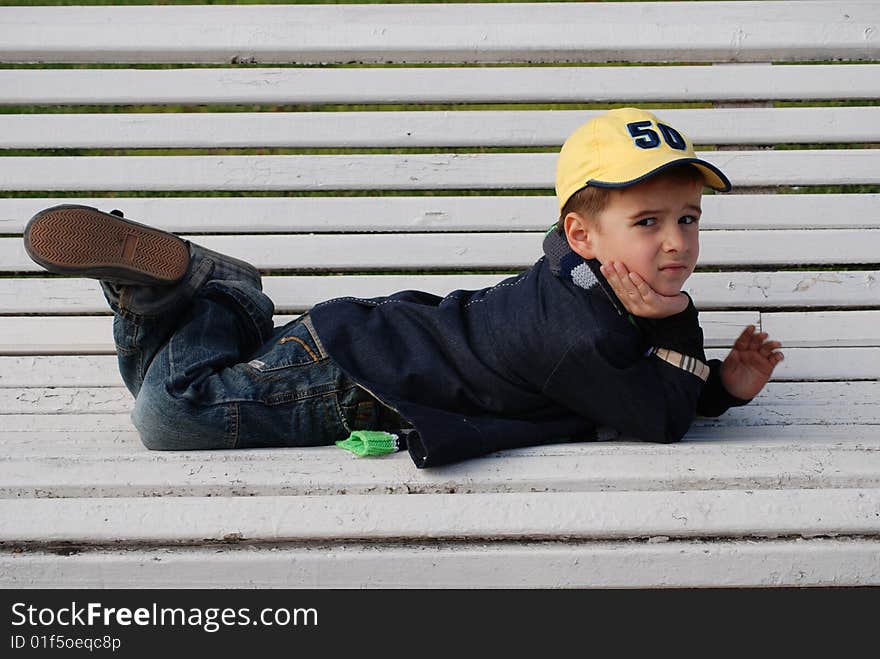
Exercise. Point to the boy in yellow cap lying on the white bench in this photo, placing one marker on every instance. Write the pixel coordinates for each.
(597, 334)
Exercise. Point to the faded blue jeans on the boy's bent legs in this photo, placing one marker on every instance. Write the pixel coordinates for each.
(209, 370)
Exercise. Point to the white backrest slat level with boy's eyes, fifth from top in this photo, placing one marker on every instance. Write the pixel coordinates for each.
(436, 214)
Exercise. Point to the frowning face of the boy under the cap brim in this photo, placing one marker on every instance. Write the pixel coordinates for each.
(651, 227)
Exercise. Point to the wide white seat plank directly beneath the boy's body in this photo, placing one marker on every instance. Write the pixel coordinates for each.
(100, 455)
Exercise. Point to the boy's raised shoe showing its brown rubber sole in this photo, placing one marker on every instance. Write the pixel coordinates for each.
(85, 242)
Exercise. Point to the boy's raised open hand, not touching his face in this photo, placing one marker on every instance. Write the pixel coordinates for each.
(750, 363)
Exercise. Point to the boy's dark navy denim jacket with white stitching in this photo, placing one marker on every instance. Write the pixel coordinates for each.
(547, 356)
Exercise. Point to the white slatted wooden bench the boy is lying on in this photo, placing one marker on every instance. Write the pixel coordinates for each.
(784, 491)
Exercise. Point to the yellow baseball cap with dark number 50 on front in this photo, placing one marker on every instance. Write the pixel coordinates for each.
(621, 147)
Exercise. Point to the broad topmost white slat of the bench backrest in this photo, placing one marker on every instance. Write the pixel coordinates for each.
(693, 31)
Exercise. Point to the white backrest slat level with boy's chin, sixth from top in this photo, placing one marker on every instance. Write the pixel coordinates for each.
(481, 251)
